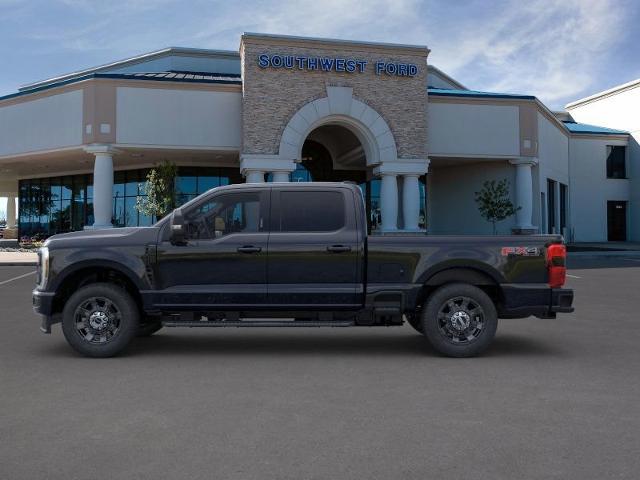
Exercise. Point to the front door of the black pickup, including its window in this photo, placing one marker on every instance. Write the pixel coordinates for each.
(223, 262)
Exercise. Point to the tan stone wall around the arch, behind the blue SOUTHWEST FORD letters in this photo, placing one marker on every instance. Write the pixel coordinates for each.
(272, 96)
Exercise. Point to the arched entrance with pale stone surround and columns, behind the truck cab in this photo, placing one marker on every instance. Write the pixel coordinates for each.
(339, 138)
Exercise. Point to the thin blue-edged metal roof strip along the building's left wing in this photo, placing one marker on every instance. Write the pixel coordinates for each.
(172, 76)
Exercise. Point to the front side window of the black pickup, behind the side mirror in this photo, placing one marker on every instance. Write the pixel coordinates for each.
(224, 215)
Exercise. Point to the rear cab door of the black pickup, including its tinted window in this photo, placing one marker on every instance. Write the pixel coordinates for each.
(314, 249)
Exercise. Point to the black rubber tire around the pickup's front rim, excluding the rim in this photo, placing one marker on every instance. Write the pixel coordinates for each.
(129, 321)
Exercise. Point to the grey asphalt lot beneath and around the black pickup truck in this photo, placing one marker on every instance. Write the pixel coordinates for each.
(550, 399)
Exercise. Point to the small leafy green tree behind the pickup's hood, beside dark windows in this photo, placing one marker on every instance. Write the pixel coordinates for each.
(160, 191)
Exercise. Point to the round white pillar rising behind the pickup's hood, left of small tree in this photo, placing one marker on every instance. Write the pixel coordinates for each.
(102, 185)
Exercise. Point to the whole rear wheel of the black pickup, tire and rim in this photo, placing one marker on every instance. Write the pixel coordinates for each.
(459, 320)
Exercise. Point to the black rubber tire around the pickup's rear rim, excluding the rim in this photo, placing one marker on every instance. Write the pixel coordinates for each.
(430, 320)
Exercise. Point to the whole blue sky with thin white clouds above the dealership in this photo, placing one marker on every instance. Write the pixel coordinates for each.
(558, 50)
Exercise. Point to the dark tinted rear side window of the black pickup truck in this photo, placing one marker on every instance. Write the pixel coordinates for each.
(312, 211)
